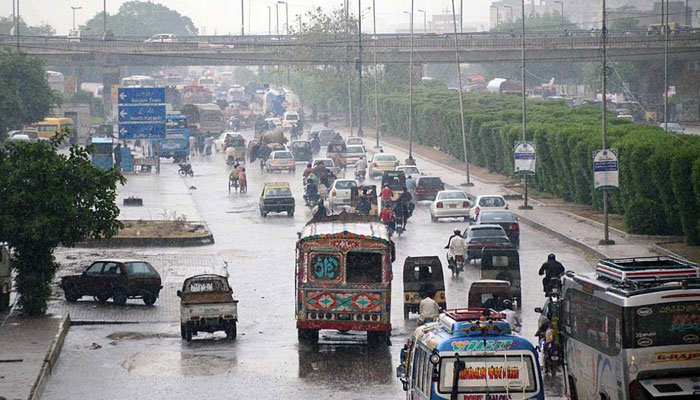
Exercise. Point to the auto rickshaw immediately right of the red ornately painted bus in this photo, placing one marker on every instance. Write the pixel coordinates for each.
(419, 274)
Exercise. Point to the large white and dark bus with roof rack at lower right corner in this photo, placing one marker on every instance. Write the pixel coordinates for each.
(631, 330)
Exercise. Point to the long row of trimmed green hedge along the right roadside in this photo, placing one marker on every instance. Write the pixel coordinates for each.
(659, 172)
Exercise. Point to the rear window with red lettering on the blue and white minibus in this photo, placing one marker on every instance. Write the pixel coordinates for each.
(490, 374)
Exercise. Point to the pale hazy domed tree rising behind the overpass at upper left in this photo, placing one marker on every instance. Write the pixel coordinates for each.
(136, 18)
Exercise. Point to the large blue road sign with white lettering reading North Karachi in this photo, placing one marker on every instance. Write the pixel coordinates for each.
(141, 113)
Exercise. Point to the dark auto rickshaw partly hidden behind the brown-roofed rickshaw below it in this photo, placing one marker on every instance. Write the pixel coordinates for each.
(503, 264)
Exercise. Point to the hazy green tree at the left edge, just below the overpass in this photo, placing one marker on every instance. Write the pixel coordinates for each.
(25, 95)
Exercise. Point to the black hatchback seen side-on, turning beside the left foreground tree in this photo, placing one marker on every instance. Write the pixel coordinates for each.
(115, 278)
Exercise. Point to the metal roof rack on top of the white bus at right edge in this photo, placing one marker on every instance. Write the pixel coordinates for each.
(660, 269)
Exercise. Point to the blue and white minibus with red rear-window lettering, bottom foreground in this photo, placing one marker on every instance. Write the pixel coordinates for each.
(469, 354)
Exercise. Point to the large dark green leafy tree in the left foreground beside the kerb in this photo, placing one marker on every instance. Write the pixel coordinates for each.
(50, 199)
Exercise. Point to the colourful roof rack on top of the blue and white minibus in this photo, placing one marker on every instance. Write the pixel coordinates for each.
(475, 321)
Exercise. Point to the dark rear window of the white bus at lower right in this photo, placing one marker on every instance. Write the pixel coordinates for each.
(664, 324)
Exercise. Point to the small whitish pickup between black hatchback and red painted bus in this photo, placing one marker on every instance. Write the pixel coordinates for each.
(207, 305)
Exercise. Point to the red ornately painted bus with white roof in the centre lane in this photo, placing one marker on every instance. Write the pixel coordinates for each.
(343, 277)
